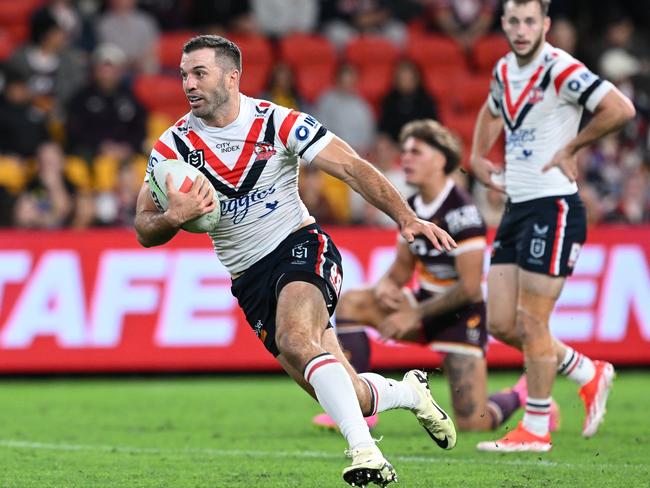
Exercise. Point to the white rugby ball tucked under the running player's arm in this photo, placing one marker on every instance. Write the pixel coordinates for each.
(183, 176)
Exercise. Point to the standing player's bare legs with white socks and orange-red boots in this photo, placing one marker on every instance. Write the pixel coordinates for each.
(516, 316)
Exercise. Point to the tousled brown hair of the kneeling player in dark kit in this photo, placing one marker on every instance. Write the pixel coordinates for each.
(437, 136)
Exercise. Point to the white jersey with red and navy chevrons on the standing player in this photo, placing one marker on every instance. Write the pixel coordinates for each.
(541, 104)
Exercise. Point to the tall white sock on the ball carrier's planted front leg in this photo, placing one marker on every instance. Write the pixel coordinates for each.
(335, 393)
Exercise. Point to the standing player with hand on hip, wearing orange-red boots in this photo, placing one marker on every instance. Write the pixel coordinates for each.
(539, 93)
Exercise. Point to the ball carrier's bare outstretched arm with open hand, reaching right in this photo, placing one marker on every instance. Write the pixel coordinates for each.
(338, 159)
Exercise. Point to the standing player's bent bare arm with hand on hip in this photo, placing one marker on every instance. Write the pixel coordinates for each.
(611, 113)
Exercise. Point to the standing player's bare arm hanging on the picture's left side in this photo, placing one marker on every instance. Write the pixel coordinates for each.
(486, 132)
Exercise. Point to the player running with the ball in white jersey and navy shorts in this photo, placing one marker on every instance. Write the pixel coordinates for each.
(286, 272)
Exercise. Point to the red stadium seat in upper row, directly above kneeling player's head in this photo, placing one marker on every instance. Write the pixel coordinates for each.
(436, 52)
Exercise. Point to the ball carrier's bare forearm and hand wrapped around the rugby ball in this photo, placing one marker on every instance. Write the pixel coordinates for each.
(154, 228)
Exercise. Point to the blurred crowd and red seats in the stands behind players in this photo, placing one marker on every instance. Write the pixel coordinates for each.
(87, 86)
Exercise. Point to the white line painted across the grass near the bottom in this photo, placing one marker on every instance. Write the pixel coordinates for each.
(18, 444)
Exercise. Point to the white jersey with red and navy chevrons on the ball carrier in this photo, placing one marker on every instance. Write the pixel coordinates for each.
(252, 164)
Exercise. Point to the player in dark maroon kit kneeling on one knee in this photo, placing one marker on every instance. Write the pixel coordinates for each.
(447, 312)
